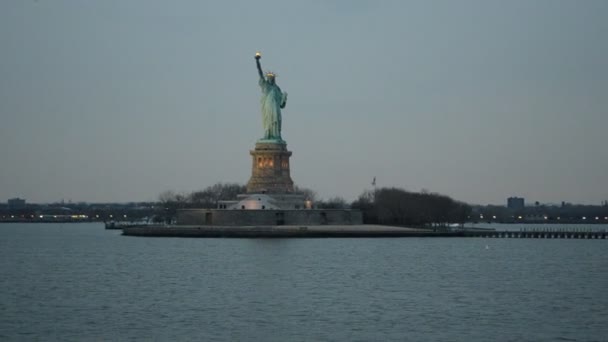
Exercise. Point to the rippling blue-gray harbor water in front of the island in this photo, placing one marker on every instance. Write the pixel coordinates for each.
(81, 282)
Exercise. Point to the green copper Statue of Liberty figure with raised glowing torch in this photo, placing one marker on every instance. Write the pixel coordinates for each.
(273, 100)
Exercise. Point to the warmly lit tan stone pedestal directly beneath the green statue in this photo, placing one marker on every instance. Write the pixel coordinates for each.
(270, 169)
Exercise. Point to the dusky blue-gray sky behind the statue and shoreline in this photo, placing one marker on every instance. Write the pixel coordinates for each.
(120, 100)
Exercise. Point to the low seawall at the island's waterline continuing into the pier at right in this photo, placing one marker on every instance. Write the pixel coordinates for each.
(347, 231)
